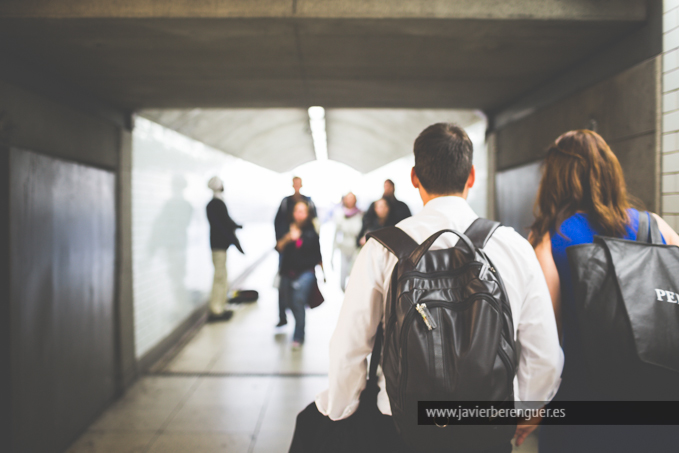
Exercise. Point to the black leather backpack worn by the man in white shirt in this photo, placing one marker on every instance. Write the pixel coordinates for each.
(448, 335)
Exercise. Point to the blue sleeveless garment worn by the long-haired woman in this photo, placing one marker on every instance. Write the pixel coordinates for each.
(575, 230)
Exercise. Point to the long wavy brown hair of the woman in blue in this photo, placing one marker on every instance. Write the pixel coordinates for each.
(581, 174)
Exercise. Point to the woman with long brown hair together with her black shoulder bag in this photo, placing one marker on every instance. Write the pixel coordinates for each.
(618, 339)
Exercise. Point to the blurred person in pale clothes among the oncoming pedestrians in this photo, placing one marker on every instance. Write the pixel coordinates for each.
(348, 224)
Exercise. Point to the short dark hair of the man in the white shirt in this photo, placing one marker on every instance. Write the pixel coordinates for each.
(443, 158)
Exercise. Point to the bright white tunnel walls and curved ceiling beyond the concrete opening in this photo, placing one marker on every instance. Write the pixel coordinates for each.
(172, 267)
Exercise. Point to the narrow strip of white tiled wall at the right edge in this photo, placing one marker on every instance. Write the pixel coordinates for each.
(670, 145)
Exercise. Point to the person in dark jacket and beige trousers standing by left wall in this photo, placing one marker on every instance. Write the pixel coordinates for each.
(222, 236)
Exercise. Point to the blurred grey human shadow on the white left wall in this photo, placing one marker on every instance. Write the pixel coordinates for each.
(169, 240)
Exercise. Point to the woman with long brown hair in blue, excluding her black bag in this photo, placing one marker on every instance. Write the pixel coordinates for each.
(582, 193)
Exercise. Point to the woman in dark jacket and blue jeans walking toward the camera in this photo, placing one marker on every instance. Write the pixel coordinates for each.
(300, 251)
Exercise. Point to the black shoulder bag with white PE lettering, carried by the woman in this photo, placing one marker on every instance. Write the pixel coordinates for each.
(627, 313)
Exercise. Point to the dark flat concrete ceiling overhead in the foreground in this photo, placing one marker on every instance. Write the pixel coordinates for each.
(465, 54)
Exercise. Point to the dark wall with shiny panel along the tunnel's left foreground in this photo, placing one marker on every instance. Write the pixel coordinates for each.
(61, 321)
